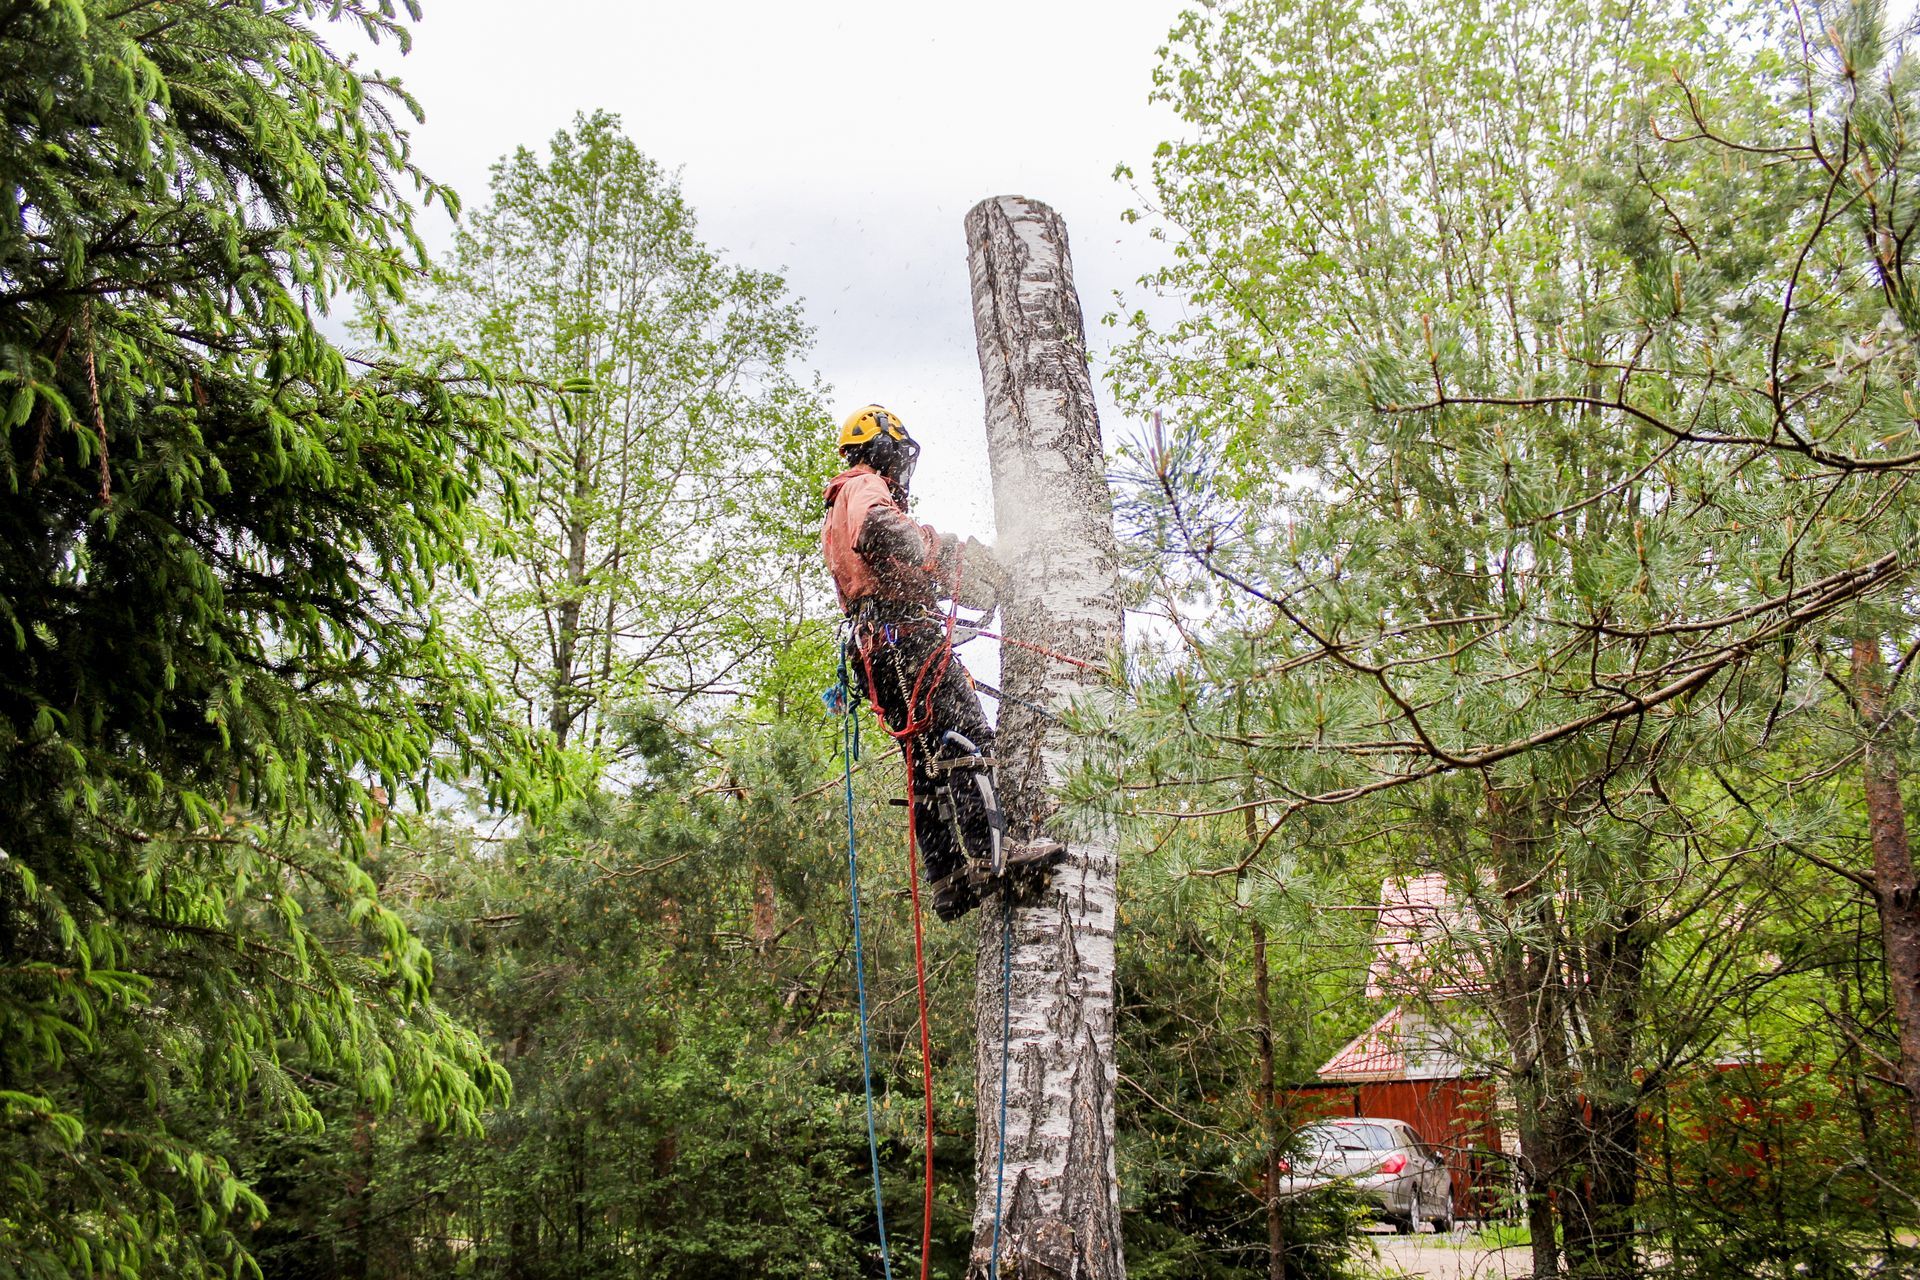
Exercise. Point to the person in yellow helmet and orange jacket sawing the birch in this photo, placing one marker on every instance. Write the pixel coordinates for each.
(890, 575)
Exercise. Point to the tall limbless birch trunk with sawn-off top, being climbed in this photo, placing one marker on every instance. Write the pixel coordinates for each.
(1061, 1204)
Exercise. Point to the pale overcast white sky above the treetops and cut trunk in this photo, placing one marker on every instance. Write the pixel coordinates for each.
(840, 145)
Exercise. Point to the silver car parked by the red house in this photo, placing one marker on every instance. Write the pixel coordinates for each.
(1385, 1162)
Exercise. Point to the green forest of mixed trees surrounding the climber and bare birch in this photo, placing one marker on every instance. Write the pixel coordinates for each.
(421, 828)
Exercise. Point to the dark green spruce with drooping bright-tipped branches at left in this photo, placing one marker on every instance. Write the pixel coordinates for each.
(218, 540)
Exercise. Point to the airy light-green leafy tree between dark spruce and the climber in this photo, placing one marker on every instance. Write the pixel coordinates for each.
(660, 552)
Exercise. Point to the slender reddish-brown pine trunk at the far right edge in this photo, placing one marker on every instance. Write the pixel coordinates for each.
(1894, 868)
